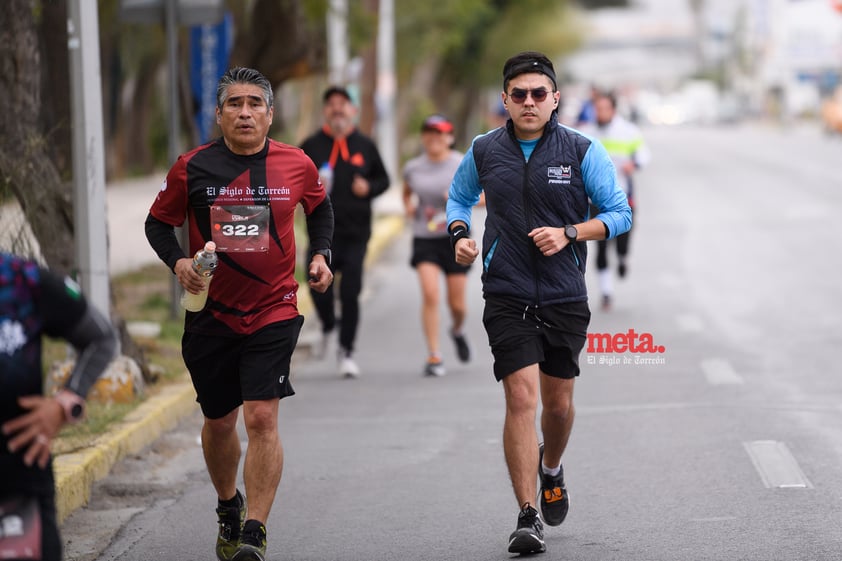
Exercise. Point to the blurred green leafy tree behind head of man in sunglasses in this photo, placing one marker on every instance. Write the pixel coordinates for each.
(450, 55)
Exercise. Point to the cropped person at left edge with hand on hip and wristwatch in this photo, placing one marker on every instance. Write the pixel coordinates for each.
(34, 303)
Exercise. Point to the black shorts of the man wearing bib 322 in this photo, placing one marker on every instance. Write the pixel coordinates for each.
(228, 370)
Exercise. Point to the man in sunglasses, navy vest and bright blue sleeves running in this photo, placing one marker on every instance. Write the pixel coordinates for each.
(538, 177)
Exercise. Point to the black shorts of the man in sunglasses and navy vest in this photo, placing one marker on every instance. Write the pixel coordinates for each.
(551, 336)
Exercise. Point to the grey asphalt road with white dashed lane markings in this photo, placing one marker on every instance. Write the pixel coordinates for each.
(727, 445)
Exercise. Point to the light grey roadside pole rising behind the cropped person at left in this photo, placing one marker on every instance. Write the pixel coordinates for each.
(89, 215)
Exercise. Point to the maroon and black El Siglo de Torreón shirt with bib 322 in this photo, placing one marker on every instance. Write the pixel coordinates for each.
(246, 204)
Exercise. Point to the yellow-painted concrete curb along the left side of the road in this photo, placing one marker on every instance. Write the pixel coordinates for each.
(76, 472)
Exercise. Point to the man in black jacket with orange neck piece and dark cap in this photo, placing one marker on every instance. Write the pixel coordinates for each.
(352, 170)
